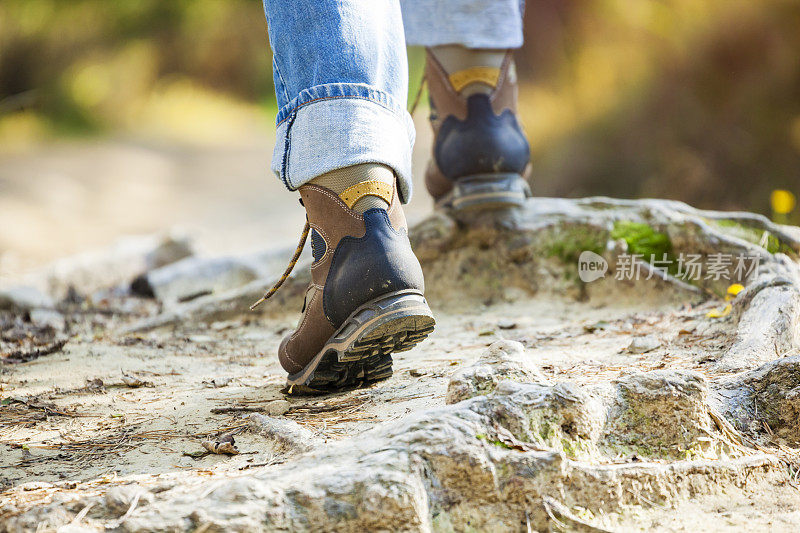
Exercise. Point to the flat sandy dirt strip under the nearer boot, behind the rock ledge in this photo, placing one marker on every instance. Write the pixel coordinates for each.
(112, 429)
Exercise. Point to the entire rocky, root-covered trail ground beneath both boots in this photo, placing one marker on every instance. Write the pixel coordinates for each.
(151, 399)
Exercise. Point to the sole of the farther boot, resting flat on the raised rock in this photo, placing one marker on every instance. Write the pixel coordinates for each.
(485, 192)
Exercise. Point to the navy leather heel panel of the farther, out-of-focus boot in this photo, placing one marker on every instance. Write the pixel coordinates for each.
(483, 143)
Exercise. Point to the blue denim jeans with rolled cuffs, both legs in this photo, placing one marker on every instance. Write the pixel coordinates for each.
(341, 75)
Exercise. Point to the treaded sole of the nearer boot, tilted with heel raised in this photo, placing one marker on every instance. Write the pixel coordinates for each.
(359, 353)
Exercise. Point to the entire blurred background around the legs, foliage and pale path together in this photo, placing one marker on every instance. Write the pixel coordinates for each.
(135, 117)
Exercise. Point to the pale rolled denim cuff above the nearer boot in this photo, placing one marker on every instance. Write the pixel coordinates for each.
(337, 125)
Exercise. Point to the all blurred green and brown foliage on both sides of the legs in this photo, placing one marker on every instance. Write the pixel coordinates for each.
(697, 100)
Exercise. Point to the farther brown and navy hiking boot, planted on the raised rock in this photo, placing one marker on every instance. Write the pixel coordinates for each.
(480, 154)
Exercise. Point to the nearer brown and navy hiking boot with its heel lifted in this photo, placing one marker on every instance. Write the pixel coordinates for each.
(365, 299)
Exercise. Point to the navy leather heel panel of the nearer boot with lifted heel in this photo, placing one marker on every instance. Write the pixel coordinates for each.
(366, 268)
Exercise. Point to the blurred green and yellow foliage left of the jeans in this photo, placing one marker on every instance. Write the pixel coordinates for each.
(82, 64)
